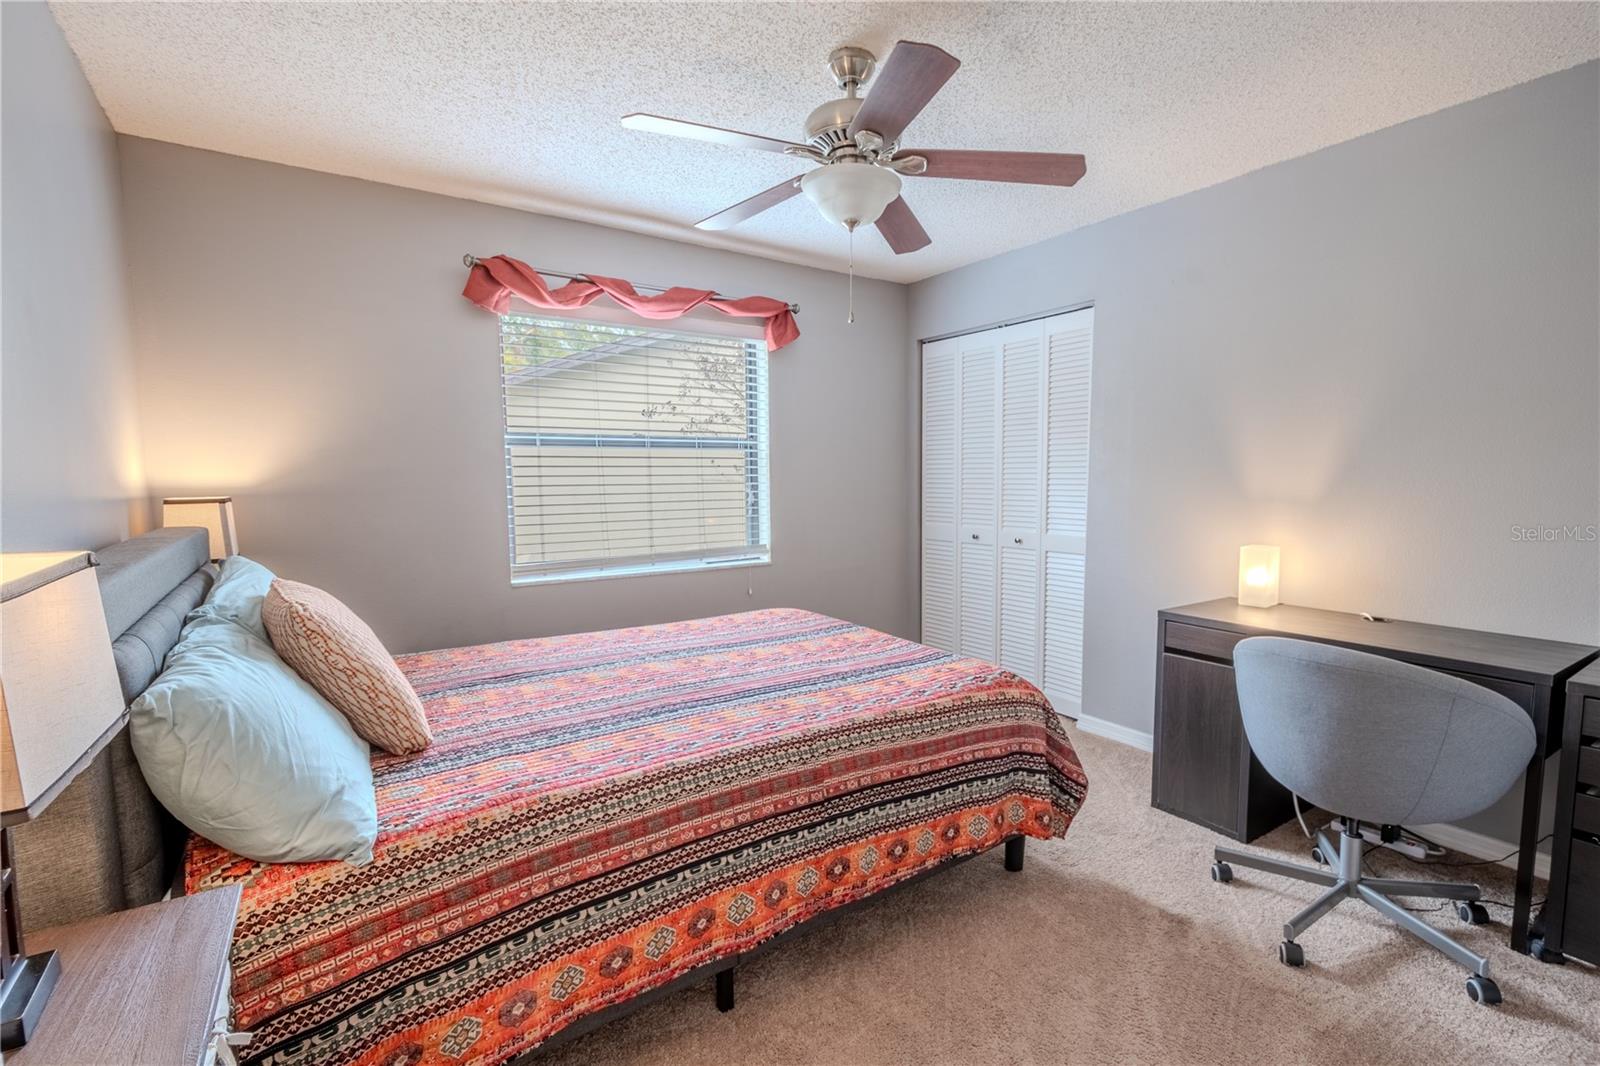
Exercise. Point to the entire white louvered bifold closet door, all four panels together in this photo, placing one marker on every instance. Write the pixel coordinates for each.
(1006, 430)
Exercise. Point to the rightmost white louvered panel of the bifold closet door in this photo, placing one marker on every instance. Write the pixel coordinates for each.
(1068, 345)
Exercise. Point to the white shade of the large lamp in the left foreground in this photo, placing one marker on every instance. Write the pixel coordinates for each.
(60, 697)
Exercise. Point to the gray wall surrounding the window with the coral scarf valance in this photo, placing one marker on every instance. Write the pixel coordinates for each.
(303, 345)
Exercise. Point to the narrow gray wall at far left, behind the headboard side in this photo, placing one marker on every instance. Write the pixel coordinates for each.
(70, 457)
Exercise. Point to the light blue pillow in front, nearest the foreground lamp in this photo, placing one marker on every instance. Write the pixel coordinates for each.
(247, 755)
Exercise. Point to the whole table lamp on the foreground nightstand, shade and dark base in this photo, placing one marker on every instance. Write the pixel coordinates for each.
(60, 705)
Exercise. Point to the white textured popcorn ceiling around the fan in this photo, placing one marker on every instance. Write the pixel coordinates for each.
(519, 105)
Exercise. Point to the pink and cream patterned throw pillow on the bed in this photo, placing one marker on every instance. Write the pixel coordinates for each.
(343, 660)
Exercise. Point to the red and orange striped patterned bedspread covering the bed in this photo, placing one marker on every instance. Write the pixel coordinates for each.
(604, 812)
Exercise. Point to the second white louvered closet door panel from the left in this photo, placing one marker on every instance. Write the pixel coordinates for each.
(978, 499)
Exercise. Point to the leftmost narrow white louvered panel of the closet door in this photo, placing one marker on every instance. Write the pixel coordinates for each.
(940, 428)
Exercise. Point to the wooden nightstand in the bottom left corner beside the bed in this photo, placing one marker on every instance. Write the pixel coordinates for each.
(145, 987)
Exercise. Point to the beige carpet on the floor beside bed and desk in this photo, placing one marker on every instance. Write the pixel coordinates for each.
(1116, 947)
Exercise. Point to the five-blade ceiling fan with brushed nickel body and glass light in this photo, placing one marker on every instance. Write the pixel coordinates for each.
(857, 145)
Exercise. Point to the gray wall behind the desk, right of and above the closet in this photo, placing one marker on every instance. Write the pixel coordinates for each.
(1382, 358)
